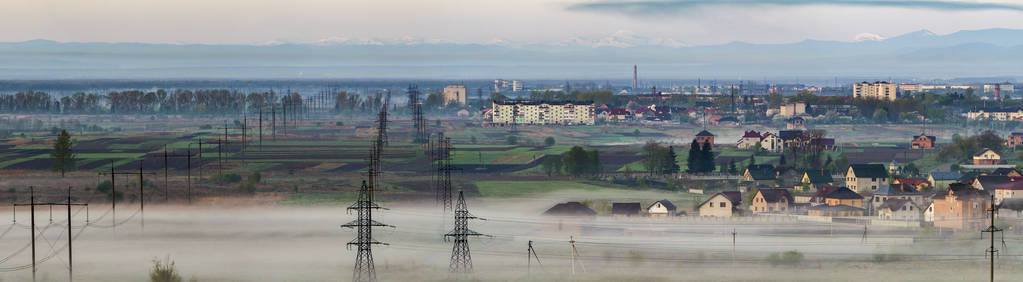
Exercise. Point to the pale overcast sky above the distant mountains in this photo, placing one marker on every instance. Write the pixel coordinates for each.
(612, 23)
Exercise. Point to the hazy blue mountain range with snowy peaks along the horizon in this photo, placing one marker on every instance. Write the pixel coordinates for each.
(995, 53)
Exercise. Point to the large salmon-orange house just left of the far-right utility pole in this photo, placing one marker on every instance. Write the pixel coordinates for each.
(962, 207)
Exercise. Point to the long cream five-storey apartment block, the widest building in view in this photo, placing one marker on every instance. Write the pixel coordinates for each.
(543, 113)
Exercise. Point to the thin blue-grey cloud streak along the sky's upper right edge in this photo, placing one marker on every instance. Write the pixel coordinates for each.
(668, 7)
